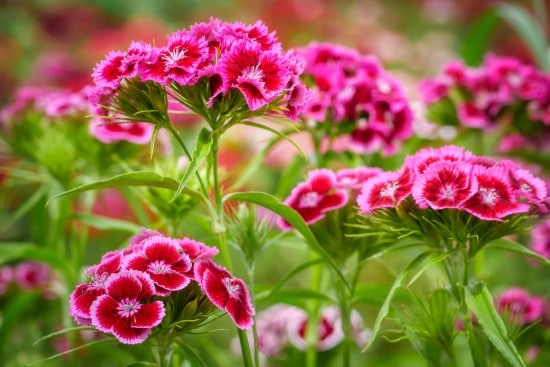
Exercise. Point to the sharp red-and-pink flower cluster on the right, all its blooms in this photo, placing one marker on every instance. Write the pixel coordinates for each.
(451, 177)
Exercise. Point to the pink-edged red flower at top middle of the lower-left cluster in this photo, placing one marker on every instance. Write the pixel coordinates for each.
(163, 261)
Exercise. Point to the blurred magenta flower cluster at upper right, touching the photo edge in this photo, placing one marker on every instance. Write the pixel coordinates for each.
(501, 90)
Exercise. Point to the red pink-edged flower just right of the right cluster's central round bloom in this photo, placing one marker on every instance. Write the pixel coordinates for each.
(494, 198)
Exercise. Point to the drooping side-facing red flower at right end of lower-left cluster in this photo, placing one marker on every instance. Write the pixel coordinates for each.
(226, 292)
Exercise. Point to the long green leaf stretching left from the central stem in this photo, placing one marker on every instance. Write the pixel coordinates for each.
(141, 178)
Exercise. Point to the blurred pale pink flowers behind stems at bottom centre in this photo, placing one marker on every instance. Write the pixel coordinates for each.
(281, 325)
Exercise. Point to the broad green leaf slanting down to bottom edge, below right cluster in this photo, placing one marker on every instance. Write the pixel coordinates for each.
(480, 301)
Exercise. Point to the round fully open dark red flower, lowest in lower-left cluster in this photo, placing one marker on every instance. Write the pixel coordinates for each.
(124, 309)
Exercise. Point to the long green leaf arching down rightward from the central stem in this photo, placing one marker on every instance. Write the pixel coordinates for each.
(291, 216)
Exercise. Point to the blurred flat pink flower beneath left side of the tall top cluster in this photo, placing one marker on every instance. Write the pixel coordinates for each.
(133, 132)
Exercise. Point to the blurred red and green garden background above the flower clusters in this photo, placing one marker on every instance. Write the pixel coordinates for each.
(57, 42)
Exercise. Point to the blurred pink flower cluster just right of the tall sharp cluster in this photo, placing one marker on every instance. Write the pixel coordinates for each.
(356, 98)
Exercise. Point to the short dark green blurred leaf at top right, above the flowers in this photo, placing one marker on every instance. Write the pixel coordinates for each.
(478, 38)
